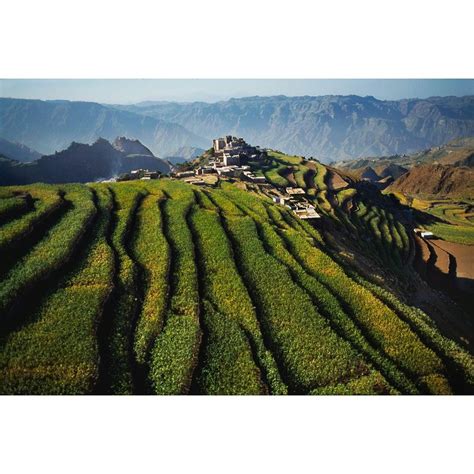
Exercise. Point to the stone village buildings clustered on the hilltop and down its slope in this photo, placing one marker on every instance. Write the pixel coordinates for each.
(230, 158)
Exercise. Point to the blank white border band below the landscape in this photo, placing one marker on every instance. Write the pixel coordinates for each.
(236, 435)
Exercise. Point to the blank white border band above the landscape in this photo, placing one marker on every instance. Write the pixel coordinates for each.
(248, 38)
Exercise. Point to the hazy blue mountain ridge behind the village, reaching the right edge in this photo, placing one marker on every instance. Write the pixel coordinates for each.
(327, 127)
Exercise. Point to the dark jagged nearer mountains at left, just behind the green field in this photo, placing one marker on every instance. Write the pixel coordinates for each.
(83, 163)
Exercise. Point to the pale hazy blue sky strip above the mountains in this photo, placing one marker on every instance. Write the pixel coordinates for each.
(210, 90)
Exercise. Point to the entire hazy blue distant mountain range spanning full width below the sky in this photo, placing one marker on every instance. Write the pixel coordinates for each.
(330, 128)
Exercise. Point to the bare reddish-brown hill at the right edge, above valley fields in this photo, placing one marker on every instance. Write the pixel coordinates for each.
(443, 181)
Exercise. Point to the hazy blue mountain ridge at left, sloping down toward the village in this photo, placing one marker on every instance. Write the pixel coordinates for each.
(48, 126)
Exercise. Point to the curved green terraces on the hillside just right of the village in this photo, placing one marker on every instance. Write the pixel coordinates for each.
(349, 209)
